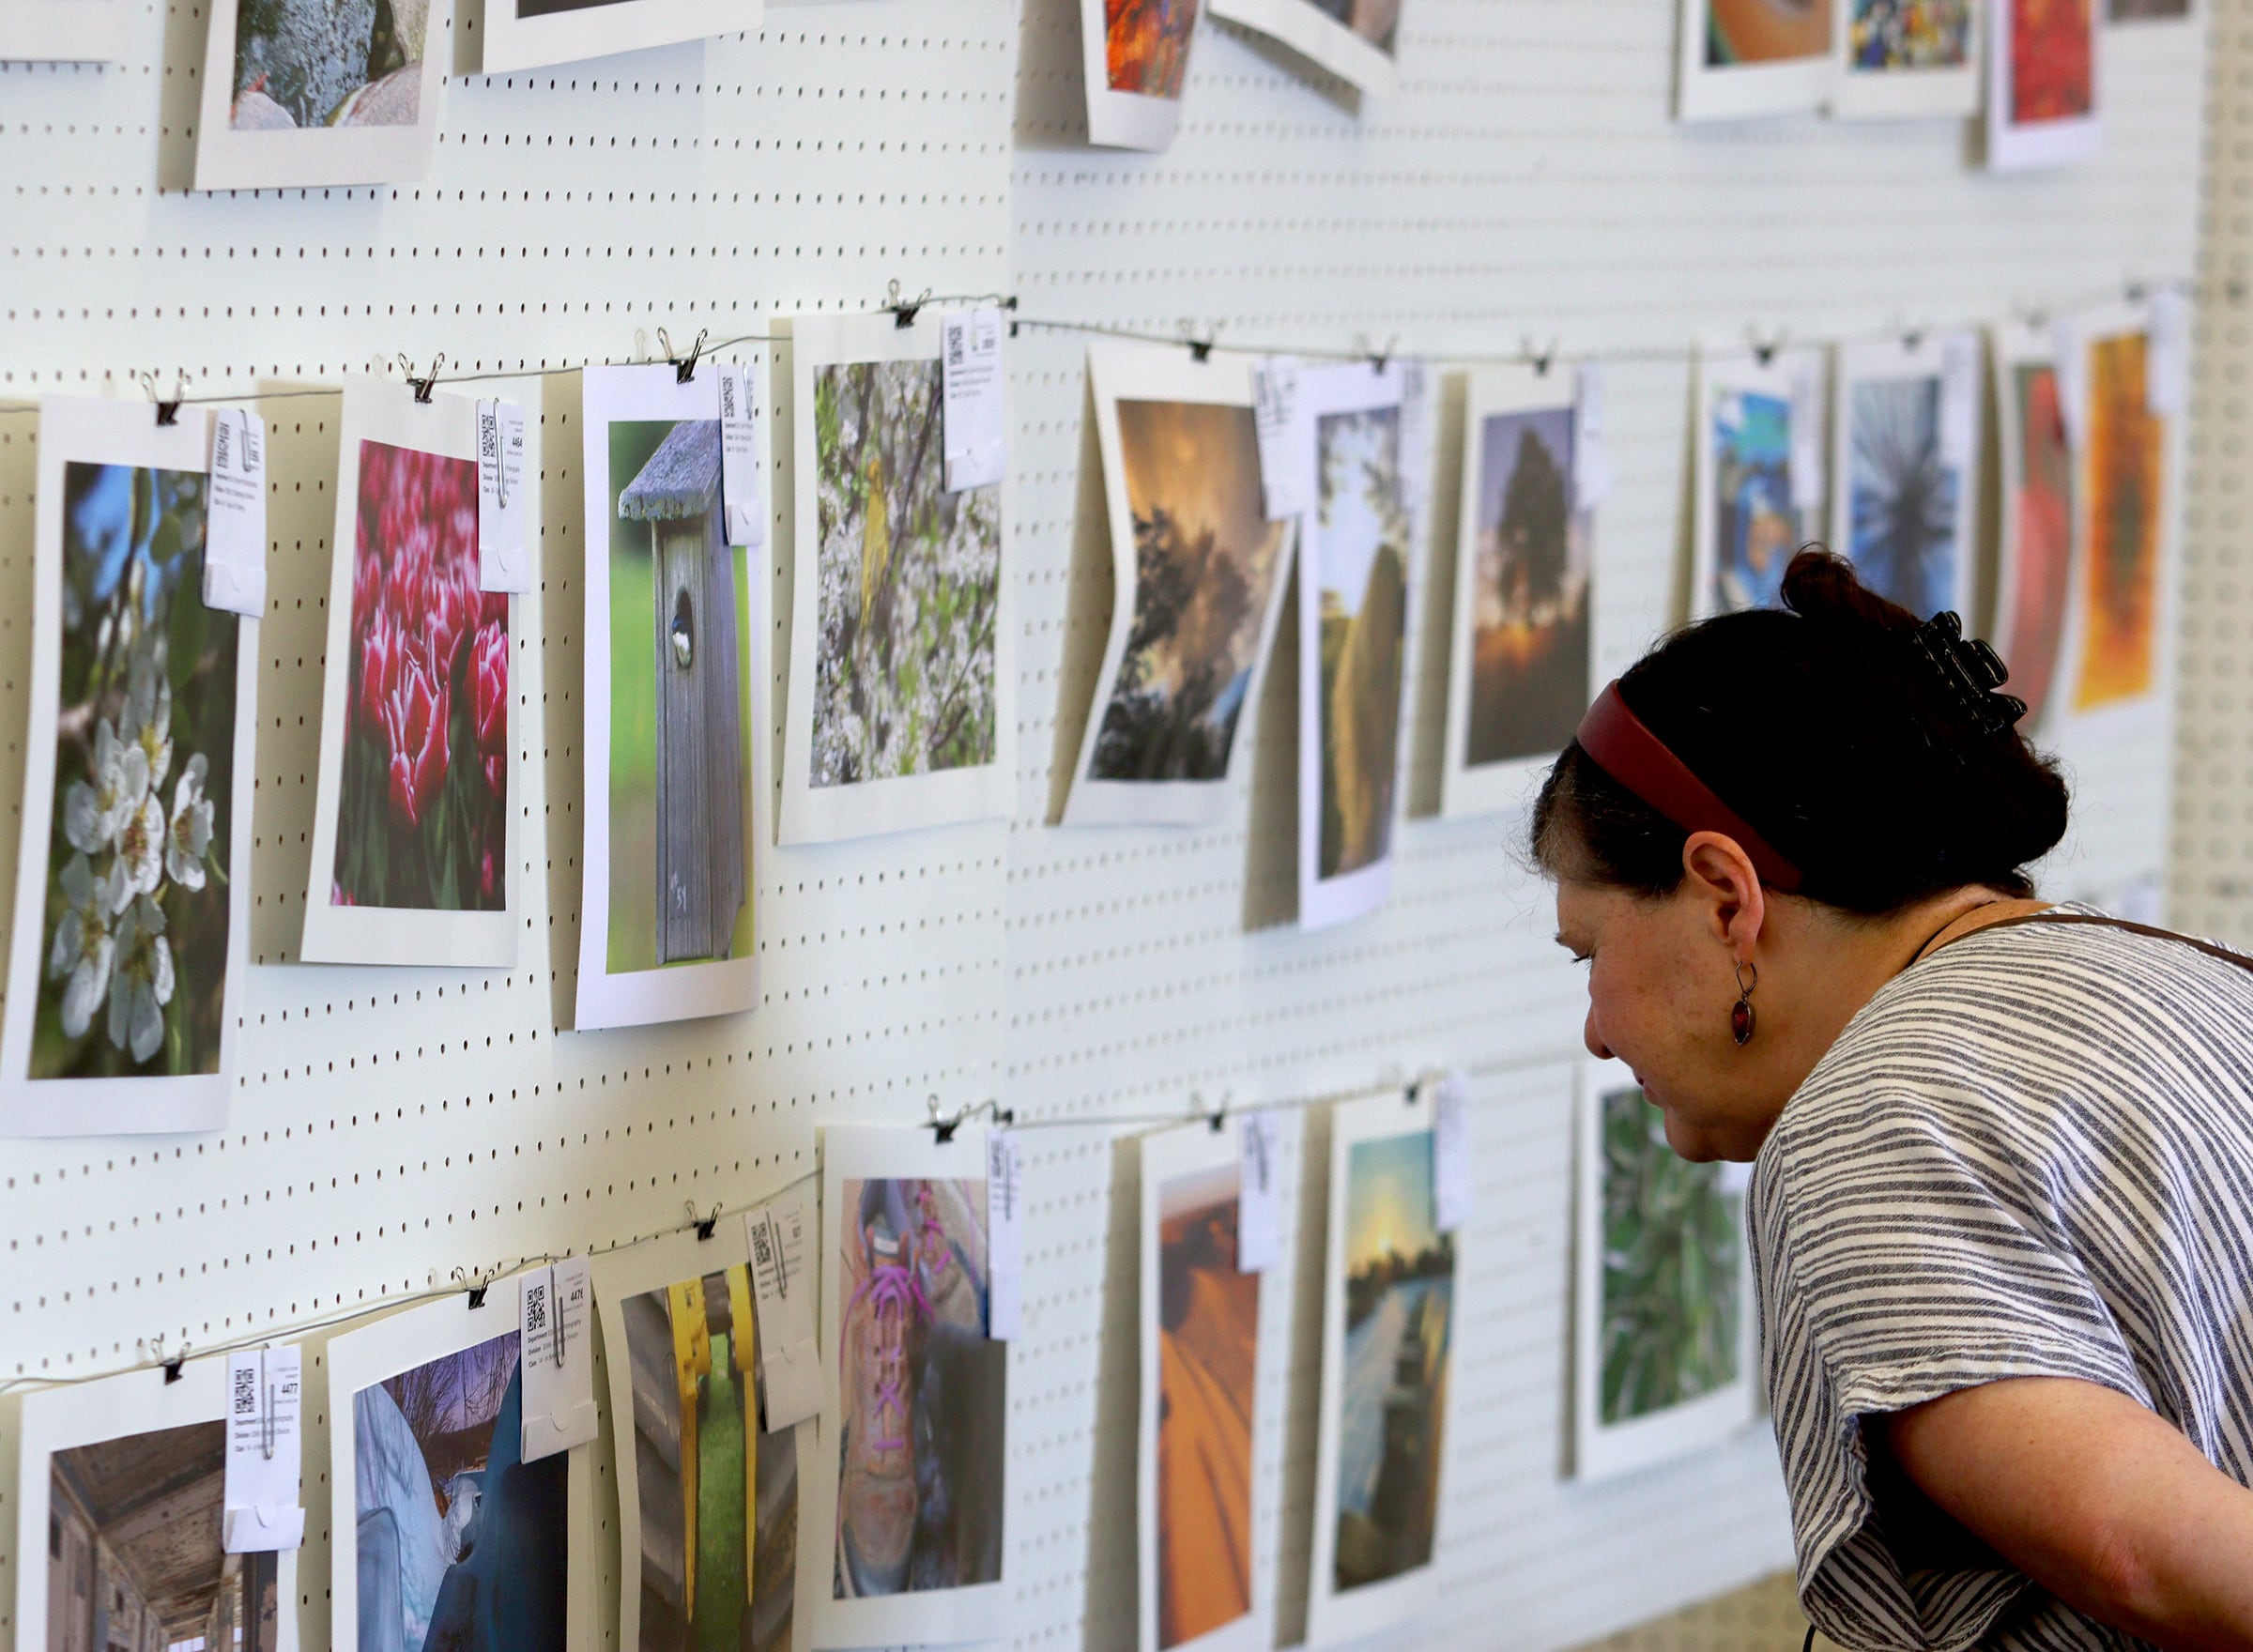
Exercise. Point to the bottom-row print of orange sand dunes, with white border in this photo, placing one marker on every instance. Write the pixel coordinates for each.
(1200, 1387)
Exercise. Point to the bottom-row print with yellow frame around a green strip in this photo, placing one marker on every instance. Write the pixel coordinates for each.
(709, 1500)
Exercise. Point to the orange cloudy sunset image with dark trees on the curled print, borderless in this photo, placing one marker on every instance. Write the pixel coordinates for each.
(1206, 571)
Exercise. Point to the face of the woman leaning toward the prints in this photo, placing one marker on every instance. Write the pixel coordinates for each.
(1662, 984)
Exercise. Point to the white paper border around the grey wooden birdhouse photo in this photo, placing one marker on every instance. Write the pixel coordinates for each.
(668, 993)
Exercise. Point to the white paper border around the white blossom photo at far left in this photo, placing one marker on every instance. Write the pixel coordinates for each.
(84, 432)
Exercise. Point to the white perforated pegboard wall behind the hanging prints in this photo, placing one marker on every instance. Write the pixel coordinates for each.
(1524, 186)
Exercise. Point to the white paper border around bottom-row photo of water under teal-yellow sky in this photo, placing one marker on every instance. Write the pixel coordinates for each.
(1335, 1617)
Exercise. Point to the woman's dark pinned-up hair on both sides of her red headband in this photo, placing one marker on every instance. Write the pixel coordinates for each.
(1831, 729)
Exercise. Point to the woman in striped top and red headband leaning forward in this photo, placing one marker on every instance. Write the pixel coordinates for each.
(2004, 1155)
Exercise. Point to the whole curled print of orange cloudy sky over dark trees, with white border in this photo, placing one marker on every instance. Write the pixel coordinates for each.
(1197, 587)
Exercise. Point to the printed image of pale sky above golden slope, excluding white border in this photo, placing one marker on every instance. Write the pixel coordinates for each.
(1360, 569)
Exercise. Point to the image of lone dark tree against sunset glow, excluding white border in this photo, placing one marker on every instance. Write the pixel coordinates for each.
(1529, 592)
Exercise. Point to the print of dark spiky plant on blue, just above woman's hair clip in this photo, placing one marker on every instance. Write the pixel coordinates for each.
(1907, 465)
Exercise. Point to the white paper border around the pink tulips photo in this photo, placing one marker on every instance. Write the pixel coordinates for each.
(384, 411)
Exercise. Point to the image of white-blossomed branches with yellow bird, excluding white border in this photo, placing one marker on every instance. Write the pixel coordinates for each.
(909, 583)
